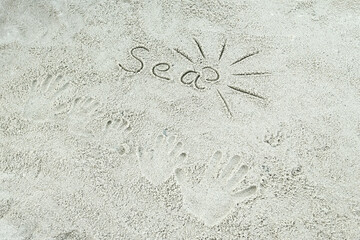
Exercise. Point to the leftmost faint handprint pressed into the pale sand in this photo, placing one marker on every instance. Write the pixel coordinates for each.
(41, 105)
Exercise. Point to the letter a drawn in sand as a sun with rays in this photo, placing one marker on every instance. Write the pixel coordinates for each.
(207, 73)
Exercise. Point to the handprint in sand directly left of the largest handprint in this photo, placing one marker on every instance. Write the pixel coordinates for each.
(158, 163)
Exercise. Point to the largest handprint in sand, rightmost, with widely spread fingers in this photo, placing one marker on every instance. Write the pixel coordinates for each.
(218, 192)
